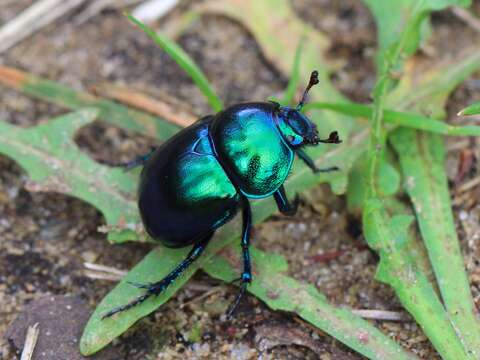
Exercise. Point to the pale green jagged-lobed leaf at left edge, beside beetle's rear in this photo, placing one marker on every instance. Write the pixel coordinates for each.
(53, 162)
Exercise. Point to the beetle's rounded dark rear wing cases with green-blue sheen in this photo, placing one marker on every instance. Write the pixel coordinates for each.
(184, 192)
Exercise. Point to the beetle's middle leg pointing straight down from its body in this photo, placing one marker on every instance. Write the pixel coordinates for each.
(245, 243)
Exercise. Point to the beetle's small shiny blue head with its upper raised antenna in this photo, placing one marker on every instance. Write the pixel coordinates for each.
(296, 128)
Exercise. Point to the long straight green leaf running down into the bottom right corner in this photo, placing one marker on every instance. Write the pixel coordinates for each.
(422, 160)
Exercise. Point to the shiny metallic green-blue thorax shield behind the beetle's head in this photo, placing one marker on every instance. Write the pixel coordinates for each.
(251, 148)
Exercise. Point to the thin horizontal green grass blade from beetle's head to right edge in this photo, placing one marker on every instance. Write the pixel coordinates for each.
(399, 118)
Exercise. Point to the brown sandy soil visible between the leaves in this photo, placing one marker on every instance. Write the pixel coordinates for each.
(45, 238)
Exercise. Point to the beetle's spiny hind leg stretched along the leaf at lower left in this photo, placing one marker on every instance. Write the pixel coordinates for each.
(158, 287)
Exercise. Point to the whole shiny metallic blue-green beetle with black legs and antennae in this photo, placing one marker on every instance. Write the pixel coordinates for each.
(198, 180)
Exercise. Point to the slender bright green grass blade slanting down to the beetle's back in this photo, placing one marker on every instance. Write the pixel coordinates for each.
(185, 62)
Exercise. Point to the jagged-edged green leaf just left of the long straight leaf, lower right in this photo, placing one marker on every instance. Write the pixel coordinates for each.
(398, 268)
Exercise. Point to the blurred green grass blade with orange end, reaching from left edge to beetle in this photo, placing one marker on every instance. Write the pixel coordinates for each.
(66, 97)
